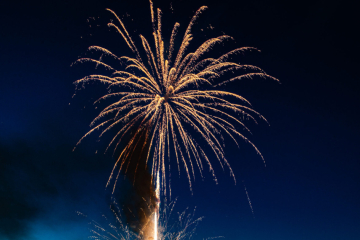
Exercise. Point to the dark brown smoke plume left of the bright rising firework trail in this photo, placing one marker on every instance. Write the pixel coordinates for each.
(140, 205)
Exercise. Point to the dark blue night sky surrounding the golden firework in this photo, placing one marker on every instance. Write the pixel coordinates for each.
(309, 188)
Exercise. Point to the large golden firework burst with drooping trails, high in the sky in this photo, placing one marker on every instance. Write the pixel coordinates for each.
(172, 94)
